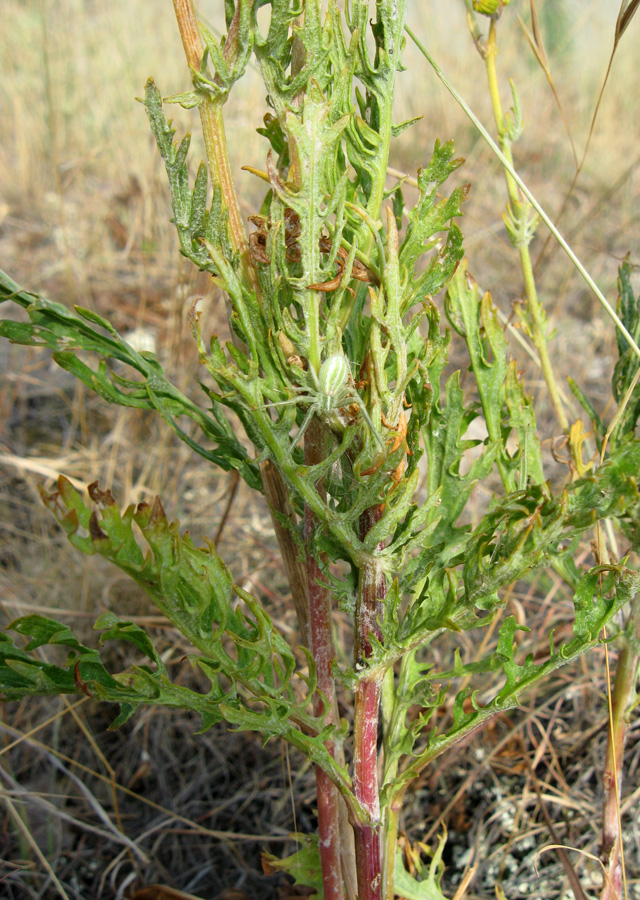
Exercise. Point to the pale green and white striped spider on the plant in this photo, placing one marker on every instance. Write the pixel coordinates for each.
(332, 391)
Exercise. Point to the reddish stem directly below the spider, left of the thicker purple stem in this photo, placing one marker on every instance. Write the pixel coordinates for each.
(323, 651)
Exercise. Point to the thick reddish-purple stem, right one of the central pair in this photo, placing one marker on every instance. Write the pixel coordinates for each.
(371, 591)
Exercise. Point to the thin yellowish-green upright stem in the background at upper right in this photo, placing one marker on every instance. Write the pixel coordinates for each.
(534, 308)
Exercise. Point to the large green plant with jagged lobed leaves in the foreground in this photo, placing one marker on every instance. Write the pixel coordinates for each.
(338, 344)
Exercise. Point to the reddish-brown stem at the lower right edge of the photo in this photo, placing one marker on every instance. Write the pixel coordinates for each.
(624, 695)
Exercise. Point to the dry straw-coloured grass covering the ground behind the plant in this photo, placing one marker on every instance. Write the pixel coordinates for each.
(84, 218)
